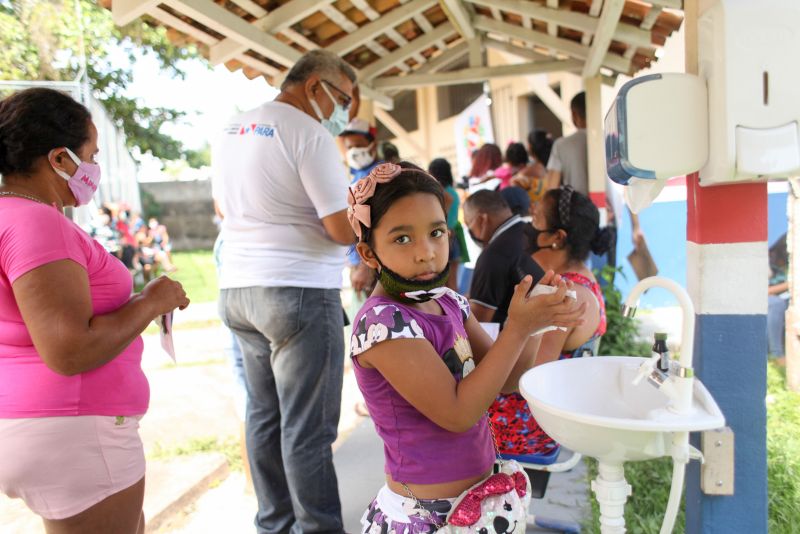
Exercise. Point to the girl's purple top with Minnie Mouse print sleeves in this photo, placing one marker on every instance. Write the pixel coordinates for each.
(417, 450)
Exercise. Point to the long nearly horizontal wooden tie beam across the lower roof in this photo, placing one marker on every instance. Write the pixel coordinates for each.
(472, 75)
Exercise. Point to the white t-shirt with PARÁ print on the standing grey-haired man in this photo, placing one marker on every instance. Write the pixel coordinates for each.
(277, 172)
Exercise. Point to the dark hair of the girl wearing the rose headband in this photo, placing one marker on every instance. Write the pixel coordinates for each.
(411, 180)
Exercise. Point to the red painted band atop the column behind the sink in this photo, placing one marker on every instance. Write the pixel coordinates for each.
(725, 213)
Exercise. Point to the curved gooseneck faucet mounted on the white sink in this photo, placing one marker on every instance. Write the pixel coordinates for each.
(676, 383)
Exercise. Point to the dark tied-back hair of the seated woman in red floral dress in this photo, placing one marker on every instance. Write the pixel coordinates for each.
(574, 213)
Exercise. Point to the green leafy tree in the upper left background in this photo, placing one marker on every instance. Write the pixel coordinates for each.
(43, 39)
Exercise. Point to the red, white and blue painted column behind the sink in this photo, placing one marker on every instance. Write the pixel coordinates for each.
(727, 280)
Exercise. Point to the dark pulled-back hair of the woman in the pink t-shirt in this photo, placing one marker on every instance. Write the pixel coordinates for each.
(35, 121)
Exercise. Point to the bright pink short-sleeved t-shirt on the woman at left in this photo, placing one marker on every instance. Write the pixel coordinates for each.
(32, 235)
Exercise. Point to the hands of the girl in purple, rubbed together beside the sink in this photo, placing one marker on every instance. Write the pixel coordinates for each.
(530, 314)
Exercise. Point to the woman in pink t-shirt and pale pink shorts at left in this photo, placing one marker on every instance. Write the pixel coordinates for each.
(71, 385)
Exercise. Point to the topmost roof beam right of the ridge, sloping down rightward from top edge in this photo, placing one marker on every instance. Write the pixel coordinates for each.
(577, 21)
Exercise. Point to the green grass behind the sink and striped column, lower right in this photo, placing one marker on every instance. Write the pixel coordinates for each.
(645, 509)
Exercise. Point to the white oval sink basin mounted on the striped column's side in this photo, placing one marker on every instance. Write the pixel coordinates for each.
(591, 406)
